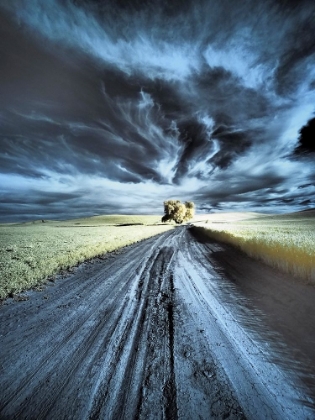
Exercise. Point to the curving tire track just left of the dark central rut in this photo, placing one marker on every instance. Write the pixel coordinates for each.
(128, 355)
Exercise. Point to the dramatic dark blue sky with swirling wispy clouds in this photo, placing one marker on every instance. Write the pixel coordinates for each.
(115, 106)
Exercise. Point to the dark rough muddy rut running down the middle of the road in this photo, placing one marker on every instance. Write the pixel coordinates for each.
(158, 392)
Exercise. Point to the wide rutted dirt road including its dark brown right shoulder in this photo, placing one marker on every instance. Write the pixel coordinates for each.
(167, 329)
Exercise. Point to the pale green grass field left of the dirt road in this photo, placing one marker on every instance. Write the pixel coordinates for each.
(32, 252)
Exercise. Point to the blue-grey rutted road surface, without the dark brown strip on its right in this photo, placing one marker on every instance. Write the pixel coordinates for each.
(139, 336)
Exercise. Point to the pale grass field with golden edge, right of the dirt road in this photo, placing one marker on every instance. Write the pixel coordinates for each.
(286, 242)
